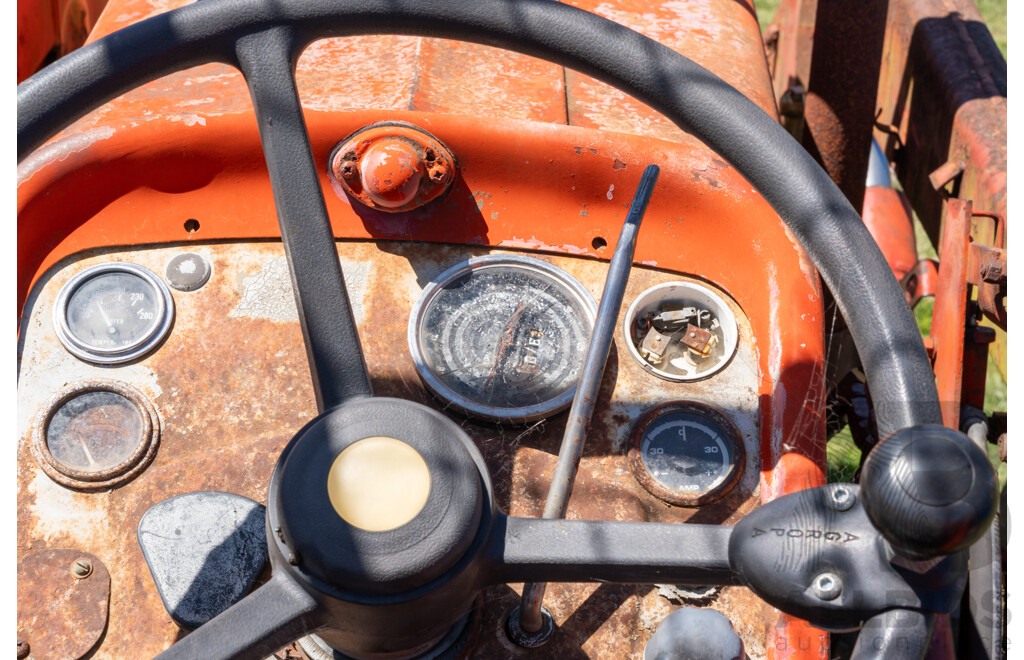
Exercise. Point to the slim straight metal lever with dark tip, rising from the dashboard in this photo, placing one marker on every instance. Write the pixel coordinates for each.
(531, 620)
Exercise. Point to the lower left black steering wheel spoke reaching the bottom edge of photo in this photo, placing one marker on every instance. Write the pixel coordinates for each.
(272, 618)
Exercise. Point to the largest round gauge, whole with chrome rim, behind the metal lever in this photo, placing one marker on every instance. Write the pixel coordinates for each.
(503, 338)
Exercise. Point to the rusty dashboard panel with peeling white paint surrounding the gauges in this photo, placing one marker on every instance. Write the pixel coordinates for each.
(231, 385)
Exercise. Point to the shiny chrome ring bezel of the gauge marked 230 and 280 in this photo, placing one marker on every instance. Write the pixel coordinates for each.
(118, 356)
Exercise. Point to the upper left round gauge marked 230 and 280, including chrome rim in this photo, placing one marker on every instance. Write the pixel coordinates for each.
(112, 314)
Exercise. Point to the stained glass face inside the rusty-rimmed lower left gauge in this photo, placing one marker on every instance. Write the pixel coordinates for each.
(95, 432)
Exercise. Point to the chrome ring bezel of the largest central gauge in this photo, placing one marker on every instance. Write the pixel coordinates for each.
(572, 287)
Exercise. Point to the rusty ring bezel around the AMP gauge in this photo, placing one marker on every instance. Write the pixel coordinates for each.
(673, 497)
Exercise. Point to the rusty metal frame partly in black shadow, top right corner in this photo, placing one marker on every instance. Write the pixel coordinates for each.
(943, 98)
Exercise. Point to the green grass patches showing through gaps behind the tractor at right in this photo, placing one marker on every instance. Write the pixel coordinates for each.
(843, 458)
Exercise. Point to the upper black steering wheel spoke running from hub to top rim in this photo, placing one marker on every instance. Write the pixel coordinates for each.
(336, 363)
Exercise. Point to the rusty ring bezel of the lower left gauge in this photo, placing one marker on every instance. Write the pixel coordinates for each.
(129, 469)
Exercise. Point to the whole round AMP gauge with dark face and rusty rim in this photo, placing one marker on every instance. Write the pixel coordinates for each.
(687, 454)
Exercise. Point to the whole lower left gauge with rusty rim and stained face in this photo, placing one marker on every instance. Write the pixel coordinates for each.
(96, 434)
